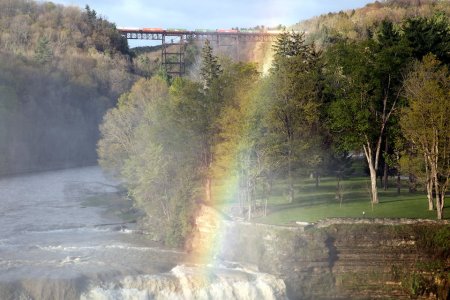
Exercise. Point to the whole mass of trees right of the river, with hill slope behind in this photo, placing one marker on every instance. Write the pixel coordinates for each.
(234, 134)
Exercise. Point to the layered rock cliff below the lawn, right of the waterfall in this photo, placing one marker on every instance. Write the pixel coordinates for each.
(342, 259)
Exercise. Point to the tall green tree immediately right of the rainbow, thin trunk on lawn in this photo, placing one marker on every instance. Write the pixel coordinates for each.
(293, 115)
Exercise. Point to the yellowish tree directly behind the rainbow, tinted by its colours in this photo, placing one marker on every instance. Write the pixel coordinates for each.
(237, 158)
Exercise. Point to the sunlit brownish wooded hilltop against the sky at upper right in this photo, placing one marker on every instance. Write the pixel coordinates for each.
(358, 23)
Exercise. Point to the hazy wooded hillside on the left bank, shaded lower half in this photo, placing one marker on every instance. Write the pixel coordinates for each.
(61, 68)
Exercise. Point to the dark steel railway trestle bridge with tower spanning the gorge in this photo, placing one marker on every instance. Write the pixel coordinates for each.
(174, 42)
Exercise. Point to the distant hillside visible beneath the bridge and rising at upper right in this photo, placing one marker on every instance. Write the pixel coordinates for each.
(352, 24)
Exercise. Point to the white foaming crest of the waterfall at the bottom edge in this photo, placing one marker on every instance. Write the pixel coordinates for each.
(190, 282)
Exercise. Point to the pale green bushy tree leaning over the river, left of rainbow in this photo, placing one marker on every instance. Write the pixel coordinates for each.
(145, 142)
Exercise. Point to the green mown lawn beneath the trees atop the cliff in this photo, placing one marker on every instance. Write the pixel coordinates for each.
(312, 204)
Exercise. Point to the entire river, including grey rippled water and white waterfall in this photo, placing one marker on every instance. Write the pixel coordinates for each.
(54, 246)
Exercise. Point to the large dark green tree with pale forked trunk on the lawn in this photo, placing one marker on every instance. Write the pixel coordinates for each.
(367, 87)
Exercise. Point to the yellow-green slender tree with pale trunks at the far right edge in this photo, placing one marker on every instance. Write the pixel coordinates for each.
(425, 123)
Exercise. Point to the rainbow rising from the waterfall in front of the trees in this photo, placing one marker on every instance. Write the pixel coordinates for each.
(211, 224)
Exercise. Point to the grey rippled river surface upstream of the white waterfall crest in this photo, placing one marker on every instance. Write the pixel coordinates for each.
(56, 244)
